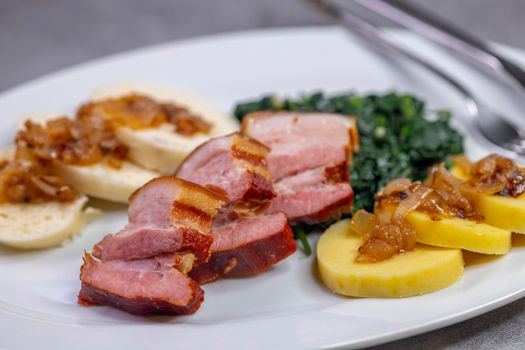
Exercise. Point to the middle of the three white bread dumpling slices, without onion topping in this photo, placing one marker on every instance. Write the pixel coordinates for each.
(99, 180)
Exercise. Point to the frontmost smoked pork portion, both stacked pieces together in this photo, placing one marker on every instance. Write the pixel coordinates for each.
(143, 268)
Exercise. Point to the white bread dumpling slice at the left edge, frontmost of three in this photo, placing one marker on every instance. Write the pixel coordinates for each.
(41, 225)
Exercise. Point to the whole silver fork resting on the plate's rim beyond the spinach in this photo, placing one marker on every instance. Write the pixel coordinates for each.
(506, 137)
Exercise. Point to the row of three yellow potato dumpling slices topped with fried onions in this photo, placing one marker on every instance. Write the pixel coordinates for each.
(484, 225)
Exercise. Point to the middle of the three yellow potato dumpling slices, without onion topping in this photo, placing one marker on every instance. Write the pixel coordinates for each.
(459, 233)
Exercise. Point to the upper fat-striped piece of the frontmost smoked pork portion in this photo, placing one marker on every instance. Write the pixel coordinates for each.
(166, 215)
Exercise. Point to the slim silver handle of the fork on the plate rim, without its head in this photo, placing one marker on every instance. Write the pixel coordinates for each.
(375, 36)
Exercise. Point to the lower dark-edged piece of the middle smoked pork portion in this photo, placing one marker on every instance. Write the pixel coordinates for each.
(246, 246)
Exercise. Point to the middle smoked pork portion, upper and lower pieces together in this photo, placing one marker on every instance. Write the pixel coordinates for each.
(244, 244)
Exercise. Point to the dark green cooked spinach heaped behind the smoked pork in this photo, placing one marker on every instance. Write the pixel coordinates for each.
(399, 137)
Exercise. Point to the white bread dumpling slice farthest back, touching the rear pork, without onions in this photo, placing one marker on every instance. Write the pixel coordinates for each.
(161, 148)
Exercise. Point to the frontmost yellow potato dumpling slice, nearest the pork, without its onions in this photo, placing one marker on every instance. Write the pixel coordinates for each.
(425, 269)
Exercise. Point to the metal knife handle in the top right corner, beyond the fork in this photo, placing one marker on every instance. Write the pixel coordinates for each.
(447, 34)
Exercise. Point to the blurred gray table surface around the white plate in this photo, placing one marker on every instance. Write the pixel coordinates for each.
(39, 36)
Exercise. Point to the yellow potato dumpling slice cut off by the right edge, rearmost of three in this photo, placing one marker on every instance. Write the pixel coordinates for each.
(504, 212)
